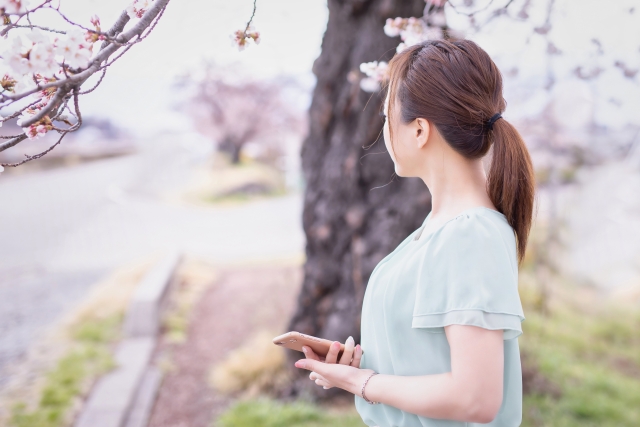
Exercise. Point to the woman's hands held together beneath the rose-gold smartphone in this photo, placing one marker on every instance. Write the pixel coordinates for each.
(330, 372)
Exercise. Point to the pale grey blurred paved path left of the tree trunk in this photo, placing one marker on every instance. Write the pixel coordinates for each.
(62, 230)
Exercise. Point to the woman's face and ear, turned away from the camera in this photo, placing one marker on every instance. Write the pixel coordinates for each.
(409, 142)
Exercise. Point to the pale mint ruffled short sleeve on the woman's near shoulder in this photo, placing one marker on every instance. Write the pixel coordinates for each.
(468, 275)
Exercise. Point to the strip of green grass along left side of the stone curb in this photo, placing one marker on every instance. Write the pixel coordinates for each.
(89, 357)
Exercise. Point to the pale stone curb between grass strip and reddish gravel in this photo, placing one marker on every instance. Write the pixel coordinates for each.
(124, 397)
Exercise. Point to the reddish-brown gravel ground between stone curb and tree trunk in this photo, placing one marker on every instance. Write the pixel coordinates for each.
(241, 301)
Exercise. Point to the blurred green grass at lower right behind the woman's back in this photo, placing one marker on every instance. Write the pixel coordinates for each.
(594, 360)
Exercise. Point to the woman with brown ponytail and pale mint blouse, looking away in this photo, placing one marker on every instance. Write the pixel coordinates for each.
(441, 313)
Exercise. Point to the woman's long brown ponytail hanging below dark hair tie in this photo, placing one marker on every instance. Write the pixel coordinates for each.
(511, 182)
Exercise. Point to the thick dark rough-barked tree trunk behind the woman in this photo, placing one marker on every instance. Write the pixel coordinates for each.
(350, 225)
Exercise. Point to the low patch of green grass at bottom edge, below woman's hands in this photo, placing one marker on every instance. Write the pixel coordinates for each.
(264, 412)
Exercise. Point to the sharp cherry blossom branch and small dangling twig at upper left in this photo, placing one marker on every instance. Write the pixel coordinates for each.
(35, 64)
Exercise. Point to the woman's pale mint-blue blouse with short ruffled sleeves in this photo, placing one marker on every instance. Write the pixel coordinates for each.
(464, 272)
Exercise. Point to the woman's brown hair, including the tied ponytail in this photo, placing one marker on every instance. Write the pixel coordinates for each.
(456, 86)
